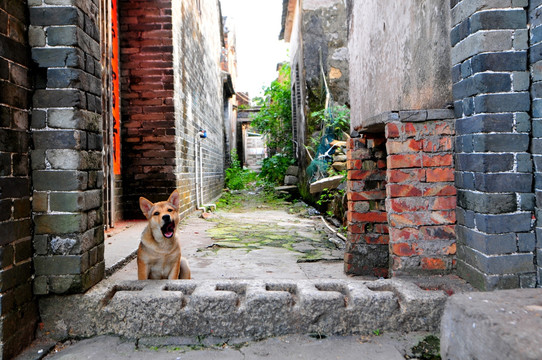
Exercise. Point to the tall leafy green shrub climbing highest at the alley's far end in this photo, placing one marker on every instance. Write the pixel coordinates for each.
(274, 119)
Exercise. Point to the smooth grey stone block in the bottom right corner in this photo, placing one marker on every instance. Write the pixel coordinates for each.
(501, 325)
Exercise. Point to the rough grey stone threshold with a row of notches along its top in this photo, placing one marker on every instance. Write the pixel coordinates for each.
(249, 309)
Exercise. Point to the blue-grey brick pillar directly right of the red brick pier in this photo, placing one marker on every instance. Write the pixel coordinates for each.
(494, 170)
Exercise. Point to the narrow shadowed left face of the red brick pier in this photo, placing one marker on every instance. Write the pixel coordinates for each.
(366, 250)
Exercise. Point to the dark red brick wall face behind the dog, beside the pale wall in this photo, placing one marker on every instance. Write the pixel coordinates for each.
(148, 122)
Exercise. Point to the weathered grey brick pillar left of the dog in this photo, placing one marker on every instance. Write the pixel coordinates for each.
(67, 156)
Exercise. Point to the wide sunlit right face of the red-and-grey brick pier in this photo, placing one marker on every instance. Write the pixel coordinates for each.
(421, 196)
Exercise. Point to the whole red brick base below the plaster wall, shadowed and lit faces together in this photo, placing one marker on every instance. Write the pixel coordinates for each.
(402, 198)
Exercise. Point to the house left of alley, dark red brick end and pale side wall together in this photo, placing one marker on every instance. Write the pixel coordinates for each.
(171, 87)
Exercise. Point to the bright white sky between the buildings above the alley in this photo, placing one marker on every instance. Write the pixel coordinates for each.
(259, 50)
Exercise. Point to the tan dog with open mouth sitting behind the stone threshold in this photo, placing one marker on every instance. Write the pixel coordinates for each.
(159, 253)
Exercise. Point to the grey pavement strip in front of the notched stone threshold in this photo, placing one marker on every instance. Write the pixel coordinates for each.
(286, 347)
